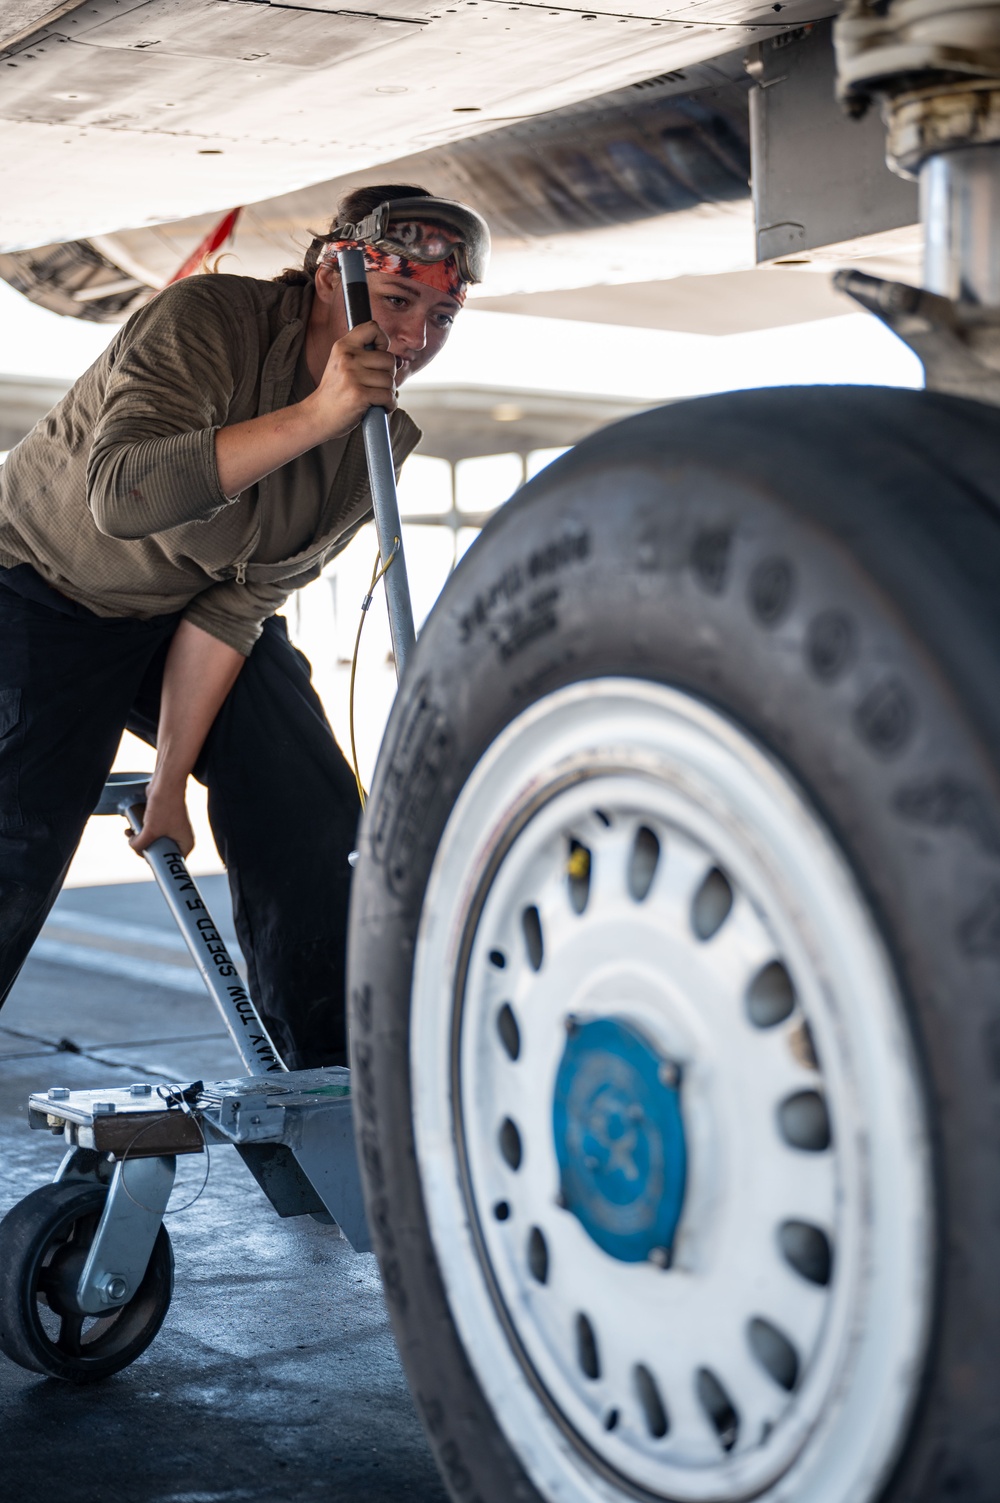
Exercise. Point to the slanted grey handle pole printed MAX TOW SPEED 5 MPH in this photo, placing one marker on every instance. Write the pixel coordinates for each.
(210, 952)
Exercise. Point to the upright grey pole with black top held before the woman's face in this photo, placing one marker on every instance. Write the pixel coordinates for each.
(375, 428)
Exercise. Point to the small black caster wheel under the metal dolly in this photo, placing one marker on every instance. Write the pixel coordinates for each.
(44, 1244)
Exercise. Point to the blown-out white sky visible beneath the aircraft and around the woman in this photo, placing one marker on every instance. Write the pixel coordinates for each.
(492, 349)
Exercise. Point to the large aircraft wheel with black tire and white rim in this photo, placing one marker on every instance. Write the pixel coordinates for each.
(676, 967)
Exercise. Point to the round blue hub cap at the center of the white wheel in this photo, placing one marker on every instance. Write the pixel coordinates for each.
(620, 1140)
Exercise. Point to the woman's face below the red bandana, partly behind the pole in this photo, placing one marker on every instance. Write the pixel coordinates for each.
(416, 318)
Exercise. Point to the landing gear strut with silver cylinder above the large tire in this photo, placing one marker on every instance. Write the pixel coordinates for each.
(935, 71)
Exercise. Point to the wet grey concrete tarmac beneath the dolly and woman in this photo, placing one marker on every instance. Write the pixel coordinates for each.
(274, 1376)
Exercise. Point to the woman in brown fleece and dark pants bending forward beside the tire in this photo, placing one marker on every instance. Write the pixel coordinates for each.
(153, 525)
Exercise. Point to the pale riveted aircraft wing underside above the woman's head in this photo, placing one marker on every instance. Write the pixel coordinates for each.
(141, 112)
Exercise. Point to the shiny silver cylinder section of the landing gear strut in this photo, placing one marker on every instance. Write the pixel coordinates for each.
(960, 207)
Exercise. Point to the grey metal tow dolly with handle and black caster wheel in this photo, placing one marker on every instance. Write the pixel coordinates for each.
(86, 1265)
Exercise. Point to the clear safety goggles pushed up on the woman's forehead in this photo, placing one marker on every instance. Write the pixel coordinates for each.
(426, 231)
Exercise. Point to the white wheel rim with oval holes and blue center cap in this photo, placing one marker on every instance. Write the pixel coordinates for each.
(668, 1123)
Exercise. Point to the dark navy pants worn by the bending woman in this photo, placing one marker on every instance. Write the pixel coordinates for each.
(282, 799)
